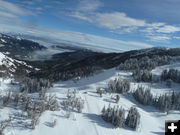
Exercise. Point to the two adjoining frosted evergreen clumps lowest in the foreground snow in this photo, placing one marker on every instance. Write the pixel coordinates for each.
(116, 116)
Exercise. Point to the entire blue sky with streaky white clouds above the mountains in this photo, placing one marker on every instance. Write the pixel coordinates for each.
(111, 24)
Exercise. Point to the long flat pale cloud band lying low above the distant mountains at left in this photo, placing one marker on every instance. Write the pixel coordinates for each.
(79, 39)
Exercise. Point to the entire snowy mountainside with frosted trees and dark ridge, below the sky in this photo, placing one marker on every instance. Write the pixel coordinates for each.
(67, 94)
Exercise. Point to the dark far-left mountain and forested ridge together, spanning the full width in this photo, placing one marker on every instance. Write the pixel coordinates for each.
(72, 59)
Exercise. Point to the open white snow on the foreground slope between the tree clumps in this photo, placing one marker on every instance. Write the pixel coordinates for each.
(89, 122)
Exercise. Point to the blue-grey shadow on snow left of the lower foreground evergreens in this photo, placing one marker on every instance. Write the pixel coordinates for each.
(94, 118)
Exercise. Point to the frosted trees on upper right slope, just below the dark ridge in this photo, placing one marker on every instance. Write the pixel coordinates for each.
(141, 68)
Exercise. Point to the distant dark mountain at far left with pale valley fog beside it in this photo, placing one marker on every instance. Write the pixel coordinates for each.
(21, 48)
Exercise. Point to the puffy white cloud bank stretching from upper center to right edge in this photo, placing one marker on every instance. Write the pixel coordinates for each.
(119, 22)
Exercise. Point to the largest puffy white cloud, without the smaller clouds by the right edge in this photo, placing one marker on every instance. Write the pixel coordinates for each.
(117, 22)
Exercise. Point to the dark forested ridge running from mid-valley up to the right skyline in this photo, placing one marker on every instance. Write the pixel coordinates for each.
(69, 67)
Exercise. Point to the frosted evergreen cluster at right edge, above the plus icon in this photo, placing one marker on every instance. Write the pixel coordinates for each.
(165, 102)
